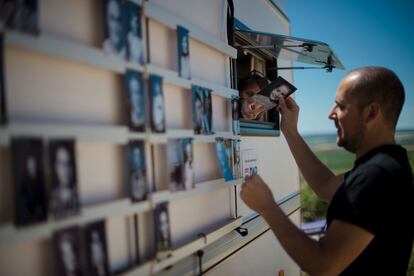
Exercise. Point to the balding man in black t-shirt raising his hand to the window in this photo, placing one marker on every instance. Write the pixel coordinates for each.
(370, 220)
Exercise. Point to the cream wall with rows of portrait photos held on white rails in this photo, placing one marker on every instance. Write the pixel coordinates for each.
(107, 159)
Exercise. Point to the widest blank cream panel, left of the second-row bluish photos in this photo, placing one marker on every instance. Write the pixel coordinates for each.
(45, 89)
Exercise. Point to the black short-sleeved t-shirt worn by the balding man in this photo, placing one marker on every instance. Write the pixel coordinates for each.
(378, 195)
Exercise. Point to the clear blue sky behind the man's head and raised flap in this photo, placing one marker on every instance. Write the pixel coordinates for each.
(361, 33)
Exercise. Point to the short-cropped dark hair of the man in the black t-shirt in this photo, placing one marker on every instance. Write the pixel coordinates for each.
(381, 85)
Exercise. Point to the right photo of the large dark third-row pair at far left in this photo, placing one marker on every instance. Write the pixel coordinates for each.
(64, 194)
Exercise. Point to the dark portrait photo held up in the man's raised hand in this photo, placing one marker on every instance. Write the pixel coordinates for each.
(268, 97)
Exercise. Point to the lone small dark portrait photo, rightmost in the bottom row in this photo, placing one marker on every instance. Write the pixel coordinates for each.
(162, 227)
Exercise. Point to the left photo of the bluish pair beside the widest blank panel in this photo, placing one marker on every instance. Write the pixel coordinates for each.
(136, 100)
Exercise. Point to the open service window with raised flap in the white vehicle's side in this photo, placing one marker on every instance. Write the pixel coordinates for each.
(257, 58)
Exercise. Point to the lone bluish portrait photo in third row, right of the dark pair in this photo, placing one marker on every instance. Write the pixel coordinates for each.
(137, 171)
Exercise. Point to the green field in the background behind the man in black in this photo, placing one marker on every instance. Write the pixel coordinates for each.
(339, 161)
